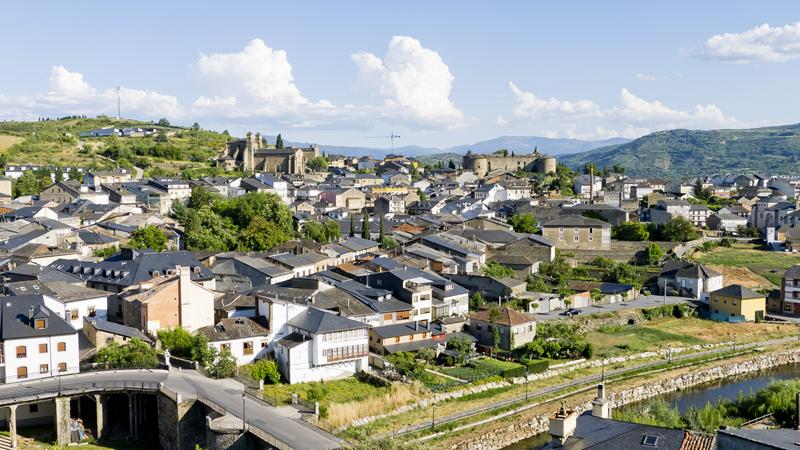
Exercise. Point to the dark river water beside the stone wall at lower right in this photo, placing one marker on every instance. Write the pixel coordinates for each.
(698, 396)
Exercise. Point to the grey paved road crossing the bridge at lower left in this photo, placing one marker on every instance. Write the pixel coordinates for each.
(226, 394)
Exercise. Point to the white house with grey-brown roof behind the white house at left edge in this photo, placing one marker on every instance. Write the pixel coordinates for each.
(73, 302)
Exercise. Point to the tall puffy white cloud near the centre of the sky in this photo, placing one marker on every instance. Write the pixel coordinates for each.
(414, 83)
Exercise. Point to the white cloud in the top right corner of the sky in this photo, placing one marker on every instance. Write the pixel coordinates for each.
(763, 43)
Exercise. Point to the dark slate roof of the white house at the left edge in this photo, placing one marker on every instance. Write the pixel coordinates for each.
(16, 324)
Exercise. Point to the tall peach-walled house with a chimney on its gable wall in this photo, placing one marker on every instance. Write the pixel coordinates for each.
(169, 302)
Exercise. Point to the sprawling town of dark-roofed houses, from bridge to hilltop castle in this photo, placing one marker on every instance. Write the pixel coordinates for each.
(373, 298)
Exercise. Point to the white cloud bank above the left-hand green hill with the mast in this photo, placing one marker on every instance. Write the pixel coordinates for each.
(70, 93)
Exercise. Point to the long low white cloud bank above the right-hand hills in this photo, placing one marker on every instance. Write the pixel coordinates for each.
(633, 117)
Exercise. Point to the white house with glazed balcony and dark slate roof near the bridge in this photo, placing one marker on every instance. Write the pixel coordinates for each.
(322, 346)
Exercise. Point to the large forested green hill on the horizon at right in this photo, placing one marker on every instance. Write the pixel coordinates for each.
(679, 153)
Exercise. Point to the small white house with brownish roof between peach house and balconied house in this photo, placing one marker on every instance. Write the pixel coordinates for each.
(246, 338)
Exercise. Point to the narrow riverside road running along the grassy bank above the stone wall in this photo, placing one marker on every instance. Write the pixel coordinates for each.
(587, 381)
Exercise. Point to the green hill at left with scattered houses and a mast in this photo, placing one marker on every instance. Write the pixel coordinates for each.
(174, 151)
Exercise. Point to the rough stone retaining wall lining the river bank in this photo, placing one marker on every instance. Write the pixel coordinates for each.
(515, 432)
